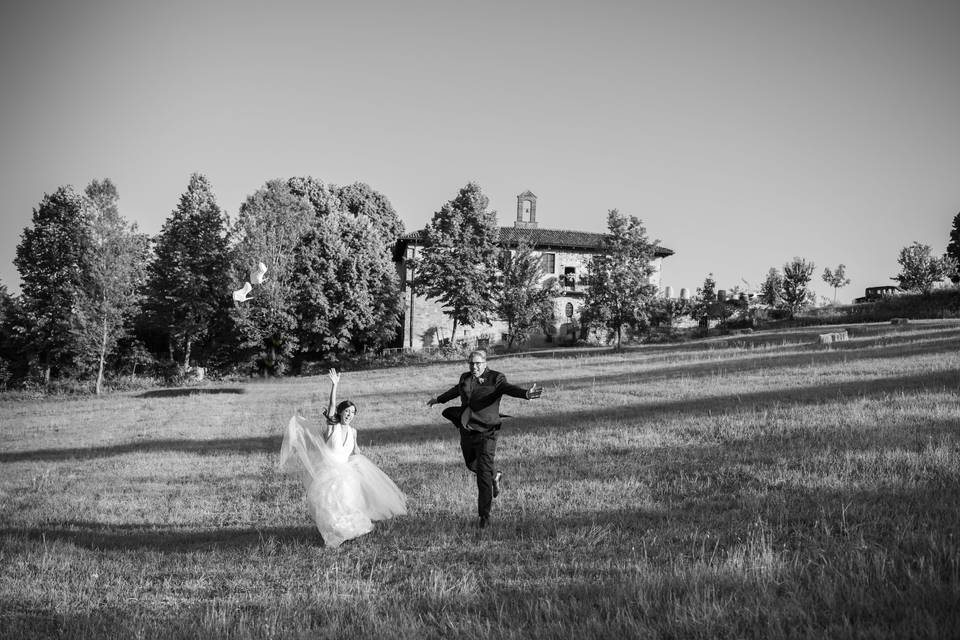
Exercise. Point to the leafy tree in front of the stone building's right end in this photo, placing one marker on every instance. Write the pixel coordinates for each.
(619, 277)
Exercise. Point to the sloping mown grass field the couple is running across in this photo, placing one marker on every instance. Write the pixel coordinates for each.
(753, 486)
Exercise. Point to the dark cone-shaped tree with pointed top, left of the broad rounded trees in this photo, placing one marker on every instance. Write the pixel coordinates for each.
(188, 280)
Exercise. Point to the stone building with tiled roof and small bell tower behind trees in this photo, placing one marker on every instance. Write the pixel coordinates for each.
(563, 255)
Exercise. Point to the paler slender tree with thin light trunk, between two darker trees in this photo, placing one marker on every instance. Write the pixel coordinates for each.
(113, 267)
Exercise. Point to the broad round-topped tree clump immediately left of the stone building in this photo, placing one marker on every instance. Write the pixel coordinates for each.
(330, 286)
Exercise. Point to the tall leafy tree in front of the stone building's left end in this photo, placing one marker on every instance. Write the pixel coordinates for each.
(458, 262)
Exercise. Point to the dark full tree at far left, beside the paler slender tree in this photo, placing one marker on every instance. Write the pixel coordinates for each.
(50, 261)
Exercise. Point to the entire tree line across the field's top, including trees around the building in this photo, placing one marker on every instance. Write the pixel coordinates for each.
(100, 298)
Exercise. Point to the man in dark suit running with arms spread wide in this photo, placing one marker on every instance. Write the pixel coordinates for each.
(478, 420)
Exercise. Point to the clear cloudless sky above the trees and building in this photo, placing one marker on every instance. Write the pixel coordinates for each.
(742, 133)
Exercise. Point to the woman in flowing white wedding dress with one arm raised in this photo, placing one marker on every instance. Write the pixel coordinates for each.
(346, 492)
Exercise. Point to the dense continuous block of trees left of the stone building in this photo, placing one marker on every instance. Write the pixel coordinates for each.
(97, 296)
